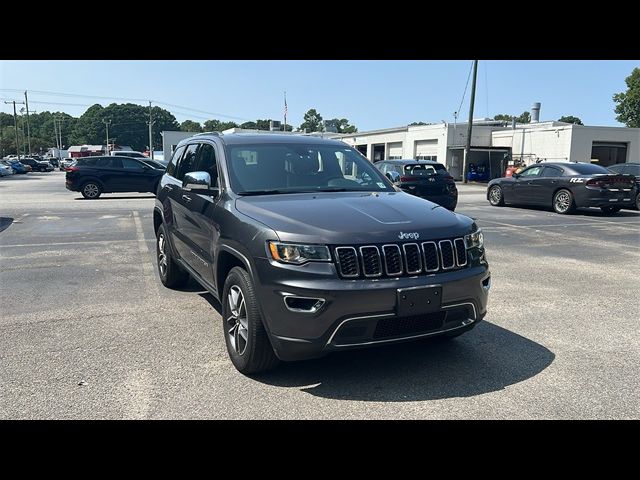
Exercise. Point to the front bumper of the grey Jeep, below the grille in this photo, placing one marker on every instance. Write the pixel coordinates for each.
(359, 313)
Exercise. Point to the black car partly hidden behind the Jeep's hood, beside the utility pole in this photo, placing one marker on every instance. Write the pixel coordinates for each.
(424, 178)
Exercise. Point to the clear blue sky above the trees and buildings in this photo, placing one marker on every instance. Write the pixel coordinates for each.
(371, 94)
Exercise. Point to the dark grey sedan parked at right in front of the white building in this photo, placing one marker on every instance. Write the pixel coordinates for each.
(565, 187)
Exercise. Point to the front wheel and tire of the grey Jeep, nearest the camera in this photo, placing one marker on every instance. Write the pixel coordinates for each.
(254, 353)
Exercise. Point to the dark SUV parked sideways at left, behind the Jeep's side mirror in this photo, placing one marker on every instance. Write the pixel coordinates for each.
(93, 176)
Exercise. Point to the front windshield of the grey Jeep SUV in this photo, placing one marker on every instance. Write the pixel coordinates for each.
(290, 168)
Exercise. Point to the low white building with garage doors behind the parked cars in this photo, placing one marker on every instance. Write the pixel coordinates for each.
(493, 144)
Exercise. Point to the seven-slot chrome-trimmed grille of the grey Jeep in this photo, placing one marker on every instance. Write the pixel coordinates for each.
(404, 259)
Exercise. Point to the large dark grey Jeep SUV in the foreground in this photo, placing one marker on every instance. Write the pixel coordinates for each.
(310, 249)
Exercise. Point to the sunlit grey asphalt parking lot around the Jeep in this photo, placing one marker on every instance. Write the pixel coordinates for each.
(88, 332)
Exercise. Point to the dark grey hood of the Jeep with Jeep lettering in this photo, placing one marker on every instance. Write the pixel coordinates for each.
(353, 217)
